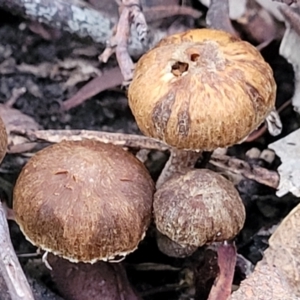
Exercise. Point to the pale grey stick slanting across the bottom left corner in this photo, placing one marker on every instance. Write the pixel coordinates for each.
(10, 267)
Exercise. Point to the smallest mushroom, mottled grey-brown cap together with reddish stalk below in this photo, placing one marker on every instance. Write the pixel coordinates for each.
(198, 208)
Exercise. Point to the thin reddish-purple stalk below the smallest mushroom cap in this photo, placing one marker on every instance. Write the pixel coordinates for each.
(221, 289)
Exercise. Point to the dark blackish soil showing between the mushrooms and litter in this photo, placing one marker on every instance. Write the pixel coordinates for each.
(108, 111)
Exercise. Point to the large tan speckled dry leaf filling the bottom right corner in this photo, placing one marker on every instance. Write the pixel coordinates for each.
(277, 276)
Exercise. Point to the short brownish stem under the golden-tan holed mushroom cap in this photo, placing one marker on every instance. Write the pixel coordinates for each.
(178, 161)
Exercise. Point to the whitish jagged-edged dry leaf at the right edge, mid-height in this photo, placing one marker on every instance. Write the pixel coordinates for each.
(288, 149)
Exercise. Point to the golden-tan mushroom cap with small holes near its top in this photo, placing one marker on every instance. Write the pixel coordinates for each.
(201, 90)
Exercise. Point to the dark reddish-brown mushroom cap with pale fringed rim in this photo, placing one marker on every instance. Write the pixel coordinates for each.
(84, 200)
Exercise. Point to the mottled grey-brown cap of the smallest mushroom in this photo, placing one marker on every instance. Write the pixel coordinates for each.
(198, 208)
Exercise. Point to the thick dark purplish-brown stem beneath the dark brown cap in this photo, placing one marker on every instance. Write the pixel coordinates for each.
(101, 280)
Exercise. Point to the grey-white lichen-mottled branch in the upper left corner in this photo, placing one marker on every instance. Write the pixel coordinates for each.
(74, 16)
